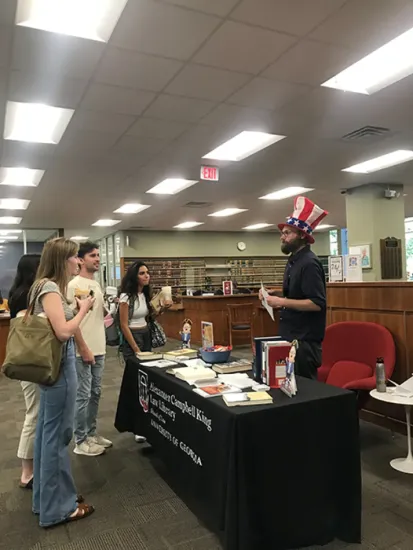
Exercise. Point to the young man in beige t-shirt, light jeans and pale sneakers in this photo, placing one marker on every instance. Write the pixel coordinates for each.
(90, 354)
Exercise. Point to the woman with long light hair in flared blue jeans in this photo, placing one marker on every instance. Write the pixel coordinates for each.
(54, 492)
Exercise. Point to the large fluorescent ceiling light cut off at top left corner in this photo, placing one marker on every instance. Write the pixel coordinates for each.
(90, 19)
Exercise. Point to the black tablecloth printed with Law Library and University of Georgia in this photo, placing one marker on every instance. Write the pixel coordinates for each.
(280, 476)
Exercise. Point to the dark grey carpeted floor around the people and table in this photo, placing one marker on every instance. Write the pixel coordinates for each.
(137, 510)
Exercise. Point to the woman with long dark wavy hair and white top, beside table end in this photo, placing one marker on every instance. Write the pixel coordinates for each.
(135, 310)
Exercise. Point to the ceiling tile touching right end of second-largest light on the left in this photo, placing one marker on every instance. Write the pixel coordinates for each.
(100, 121)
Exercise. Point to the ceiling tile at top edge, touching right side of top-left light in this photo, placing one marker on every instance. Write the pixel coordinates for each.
(162, 29)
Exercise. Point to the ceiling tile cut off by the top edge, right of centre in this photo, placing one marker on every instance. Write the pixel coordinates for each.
(296, 17)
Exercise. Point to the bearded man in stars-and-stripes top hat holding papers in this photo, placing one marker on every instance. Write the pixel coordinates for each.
(303, 305)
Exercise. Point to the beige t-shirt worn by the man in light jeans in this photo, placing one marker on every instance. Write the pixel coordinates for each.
(92, 326)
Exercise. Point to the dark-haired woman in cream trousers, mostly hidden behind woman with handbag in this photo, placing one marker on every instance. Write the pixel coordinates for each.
(25, 276)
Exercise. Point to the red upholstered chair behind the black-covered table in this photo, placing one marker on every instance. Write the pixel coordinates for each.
(350, 351)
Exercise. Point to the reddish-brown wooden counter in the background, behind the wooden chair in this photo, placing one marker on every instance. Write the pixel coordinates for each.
(214, 309)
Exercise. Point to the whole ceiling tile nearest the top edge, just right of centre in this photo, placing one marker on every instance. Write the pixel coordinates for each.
(243, 48)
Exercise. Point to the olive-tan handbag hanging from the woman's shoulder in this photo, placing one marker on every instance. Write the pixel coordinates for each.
(33, 353)
